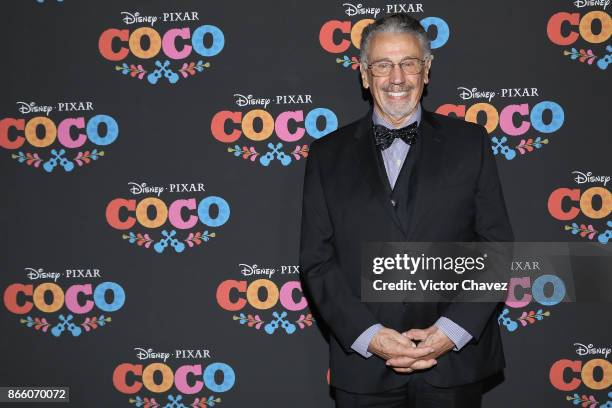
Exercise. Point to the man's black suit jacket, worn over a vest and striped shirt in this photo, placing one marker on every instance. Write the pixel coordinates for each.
(456, 196)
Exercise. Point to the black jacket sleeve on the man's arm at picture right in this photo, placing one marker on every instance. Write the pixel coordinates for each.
(491, 225)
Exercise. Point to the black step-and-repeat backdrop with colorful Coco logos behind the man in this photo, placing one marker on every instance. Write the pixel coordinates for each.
(152, 156)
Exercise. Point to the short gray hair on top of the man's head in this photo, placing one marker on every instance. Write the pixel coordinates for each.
(394, 23)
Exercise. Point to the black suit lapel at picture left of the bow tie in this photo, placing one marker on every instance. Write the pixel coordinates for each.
(369, 163)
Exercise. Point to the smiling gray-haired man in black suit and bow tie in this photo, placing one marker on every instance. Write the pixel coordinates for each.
(400, 174)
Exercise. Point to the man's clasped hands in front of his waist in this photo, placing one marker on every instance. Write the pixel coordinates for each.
(402, 353)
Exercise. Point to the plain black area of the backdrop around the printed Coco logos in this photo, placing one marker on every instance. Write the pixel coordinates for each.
(56, 220)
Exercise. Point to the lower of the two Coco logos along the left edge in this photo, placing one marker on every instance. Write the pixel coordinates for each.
(53, 308)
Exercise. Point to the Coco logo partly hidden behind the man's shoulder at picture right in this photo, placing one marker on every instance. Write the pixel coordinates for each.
(517, 122)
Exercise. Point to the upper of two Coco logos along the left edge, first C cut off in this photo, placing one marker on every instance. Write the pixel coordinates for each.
(67, 140)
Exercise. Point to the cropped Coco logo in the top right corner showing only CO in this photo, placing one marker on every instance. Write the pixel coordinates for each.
(584, 29)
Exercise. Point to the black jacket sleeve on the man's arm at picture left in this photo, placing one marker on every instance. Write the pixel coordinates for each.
(326, 287)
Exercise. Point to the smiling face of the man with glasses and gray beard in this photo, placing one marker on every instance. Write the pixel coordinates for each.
(395, 96)
